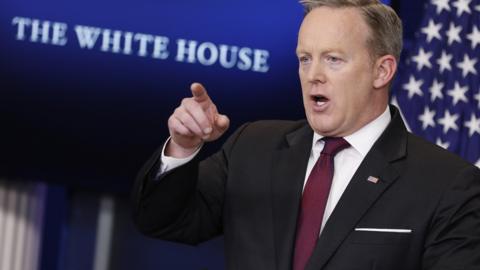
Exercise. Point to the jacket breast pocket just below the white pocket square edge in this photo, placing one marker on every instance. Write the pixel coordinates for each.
(379, 238)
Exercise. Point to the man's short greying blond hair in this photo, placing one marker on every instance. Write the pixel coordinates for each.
(385, 25)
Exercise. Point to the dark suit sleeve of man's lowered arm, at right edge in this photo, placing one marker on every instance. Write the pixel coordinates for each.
(454, 239)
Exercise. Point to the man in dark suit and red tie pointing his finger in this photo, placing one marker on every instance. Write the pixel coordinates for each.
(391, 200)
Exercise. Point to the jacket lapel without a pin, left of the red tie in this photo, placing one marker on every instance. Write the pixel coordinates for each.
(289, 164)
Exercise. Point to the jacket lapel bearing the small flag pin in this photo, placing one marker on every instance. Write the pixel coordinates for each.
(361, 194)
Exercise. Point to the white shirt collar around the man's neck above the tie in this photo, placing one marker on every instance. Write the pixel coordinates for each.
(364, 138)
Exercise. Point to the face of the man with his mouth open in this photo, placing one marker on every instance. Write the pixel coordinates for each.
(336, 72)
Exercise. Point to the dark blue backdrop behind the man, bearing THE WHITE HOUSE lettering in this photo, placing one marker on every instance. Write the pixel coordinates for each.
(86, 88)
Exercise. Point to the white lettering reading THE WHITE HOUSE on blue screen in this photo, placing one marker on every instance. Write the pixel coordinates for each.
(116, 41)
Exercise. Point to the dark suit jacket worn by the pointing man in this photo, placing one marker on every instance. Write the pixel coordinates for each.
(250, 191)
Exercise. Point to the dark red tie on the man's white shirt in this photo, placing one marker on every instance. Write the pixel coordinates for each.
(314, 200)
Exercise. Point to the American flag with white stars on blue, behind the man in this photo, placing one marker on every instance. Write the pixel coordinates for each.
(438, 85)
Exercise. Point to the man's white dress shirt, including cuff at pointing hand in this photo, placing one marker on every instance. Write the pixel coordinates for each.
(346, 162)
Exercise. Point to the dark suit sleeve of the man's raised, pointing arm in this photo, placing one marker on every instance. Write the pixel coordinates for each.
(186, 204)
